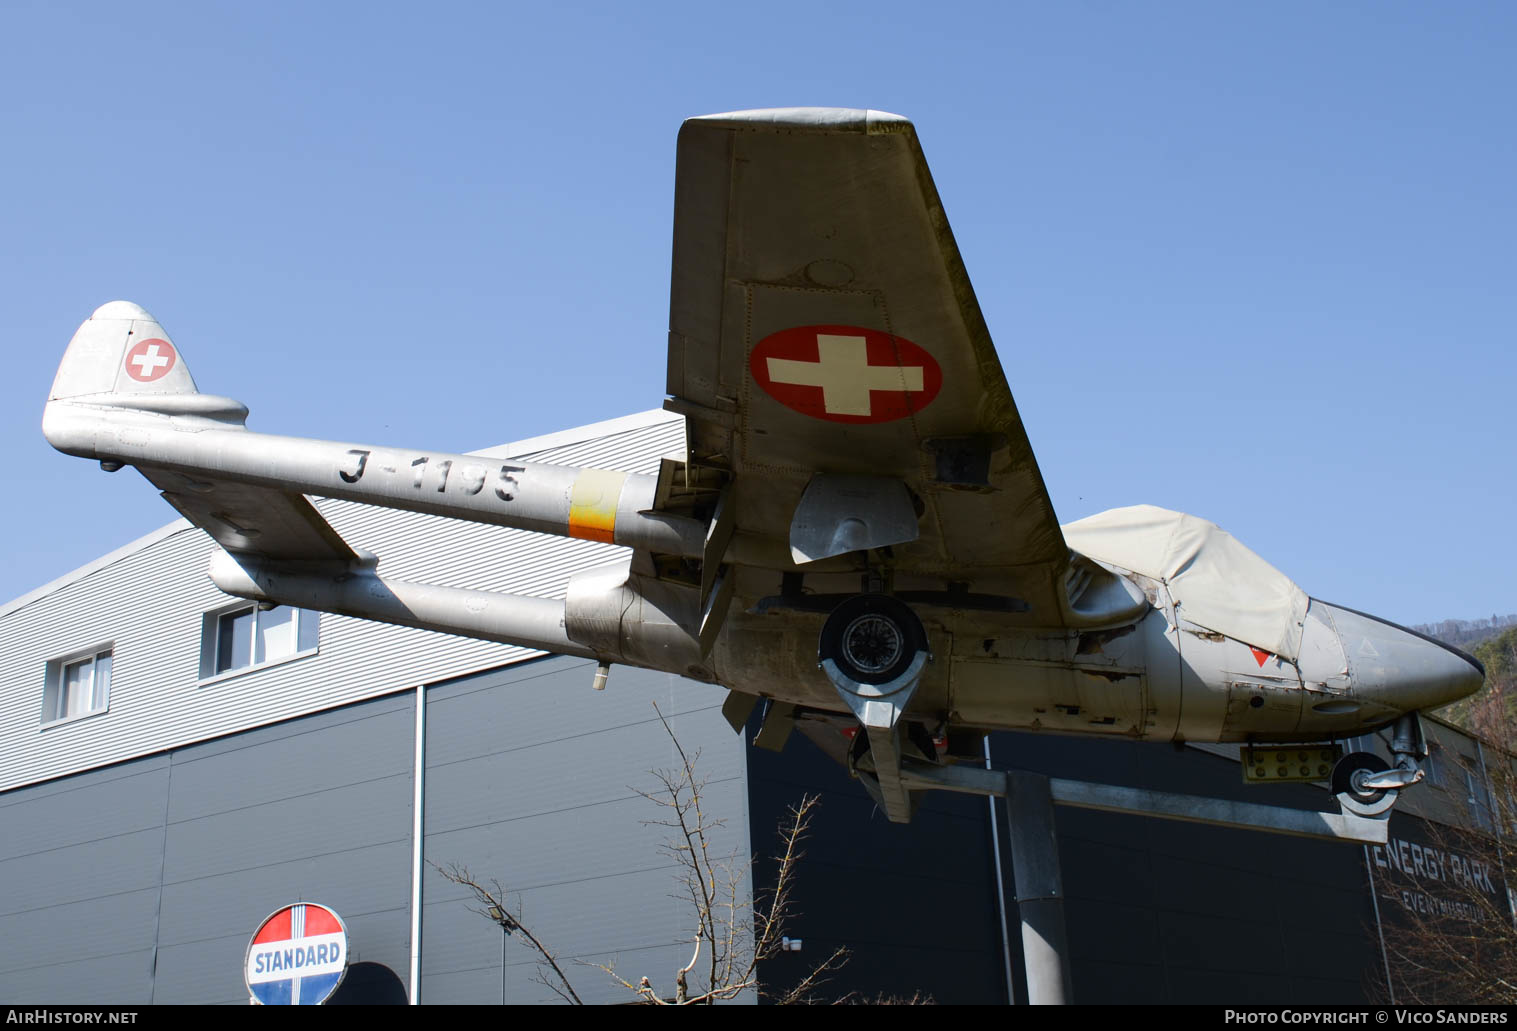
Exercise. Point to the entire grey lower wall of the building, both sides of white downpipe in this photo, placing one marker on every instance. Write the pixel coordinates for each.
(145, 882)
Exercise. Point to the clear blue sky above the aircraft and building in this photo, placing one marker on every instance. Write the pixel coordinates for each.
(1249, 262)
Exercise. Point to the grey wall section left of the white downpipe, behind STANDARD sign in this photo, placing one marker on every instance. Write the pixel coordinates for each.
(145, 882)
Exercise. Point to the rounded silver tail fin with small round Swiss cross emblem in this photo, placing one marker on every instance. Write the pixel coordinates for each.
(121, 349)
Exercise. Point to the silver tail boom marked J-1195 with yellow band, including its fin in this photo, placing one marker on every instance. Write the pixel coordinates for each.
(187, 442)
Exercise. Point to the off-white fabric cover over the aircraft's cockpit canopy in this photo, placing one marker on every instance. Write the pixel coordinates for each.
(1216, 581)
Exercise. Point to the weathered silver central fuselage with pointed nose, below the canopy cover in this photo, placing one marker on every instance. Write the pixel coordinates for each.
(1155, 677)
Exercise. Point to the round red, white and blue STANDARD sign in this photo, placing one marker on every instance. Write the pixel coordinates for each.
(298, 956)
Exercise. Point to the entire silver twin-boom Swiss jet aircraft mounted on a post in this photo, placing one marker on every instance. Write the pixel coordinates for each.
(856, 531)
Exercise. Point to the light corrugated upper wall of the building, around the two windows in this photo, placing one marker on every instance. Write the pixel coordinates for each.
(149, 604)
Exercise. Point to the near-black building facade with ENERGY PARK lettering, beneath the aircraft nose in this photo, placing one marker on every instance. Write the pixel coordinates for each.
(1157, 910)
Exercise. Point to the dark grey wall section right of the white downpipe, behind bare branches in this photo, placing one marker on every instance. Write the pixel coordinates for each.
(533, 780)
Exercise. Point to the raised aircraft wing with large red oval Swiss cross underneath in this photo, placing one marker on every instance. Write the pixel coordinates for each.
(823, 322)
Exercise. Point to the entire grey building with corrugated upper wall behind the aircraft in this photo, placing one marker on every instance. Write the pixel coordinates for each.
(177, 765)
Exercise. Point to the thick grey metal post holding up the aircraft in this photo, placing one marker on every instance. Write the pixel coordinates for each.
(1040, 888)
